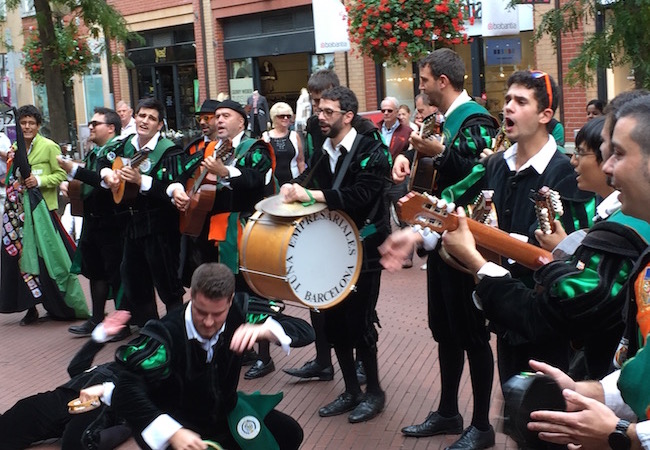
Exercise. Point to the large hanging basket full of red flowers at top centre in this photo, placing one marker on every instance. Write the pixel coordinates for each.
(398, 30)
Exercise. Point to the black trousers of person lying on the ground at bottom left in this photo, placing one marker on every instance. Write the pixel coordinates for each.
(44, 416)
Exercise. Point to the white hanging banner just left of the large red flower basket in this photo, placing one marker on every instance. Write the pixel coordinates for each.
(330, 26)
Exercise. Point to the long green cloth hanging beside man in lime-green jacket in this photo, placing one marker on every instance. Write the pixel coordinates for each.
(44, 241)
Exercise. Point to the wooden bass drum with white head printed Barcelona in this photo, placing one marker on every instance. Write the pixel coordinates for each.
(314, 260)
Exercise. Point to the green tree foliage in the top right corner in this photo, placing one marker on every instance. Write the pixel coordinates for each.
(623, 40)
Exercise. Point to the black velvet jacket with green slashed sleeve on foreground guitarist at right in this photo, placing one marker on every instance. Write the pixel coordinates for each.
(581, 298)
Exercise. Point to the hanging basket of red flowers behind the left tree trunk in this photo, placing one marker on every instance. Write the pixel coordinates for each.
(72, 54)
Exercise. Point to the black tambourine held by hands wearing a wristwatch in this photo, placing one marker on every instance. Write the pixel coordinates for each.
(523, 394)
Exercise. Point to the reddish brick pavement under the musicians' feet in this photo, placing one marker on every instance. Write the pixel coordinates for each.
(35, 358)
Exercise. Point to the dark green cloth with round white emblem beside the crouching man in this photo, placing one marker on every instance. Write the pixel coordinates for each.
(246, 420)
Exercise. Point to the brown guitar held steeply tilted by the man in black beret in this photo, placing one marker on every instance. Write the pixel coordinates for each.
(202, 190)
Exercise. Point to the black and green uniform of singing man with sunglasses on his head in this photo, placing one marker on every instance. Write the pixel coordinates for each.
(516, 214)
